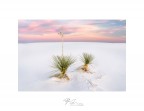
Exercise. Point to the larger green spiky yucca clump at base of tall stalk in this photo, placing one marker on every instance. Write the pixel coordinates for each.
(61, 64)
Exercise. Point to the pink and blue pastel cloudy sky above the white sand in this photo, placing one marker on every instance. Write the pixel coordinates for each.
(74, 30)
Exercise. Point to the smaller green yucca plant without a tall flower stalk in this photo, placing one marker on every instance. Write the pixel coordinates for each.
(86, 59)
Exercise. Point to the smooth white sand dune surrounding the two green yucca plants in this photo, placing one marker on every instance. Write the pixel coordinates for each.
(109, 67)
